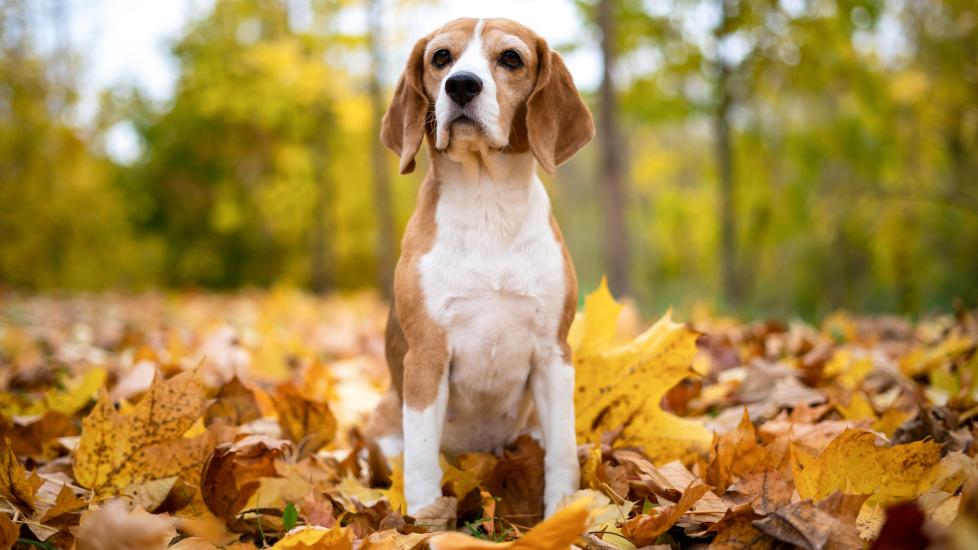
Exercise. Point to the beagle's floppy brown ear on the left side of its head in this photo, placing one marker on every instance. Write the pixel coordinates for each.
(402, 129)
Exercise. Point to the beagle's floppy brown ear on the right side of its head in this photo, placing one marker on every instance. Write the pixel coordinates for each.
(558, 123)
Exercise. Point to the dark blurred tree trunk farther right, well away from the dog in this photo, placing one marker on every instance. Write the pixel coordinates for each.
(725, 172)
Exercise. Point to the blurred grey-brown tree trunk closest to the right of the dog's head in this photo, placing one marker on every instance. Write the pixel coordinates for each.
(612, 164)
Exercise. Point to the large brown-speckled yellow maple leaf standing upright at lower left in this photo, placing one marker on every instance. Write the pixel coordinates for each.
(118, 450)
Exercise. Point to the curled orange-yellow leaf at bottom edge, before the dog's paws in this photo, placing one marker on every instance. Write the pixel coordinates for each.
(558, 531)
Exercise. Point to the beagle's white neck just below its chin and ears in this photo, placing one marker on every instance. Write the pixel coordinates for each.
(488, 194)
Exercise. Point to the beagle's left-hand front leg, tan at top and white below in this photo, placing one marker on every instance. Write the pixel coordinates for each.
(425, 401)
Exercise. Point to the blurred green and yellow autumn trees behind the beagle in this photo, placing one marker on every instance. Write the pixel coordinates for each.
(757, 156)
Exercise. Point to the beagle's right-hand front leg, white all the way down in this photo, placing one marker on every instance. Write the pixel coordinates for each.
(552, 385)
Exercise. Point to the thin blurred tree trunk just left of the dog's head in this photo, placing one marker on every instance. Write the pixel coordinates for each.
(379, 156)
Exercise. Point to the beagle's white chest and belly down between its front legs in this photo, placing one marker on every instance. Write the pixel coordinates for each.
(494, 281)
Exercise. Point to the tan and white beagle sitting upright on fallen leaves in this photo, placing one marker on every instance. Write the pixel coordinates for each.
(484, 290)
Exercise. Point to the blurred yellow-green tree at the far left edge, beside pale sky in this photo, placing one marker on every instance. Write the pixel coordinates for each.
(61, 222)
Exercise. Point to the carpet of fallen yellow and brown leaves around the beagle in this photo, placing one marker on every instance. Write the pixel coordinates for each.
(203, 422)
